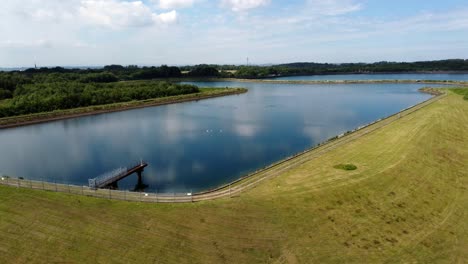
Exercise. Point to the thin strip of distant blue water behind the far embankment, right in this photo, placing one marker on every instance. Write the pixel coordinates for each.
(405, 76)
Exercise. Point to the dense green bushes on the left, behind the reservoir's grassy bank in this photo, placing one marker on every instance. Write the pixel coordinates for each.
(45, 97)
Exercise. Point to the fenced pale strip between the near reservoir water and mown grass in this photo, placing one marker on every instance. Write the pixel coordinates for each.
(232, 189)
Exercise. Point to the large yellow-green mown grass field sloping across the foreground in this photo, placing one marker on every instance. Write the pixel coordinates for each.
(407, 202)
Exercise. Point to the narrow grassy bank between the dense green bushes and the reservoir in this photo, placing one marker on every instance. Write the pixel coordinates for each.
(98, 109)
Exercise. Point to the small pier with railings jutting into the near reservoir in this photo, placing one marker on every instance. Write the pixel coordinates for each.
(109, 180)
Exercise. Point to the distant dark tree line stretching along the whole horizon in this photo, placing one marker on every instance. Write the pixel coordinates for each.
(113, 73)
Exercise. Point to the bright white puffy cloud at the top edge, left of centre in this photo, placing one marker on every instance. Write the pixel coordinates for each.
(116, 14)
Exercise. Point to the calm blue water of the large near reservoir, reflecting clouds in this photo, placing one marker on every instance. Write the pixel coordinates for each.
(199, 145)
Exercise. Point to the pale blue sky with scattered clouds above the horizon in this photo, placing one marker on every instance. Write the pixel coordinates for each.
(179, 32)
